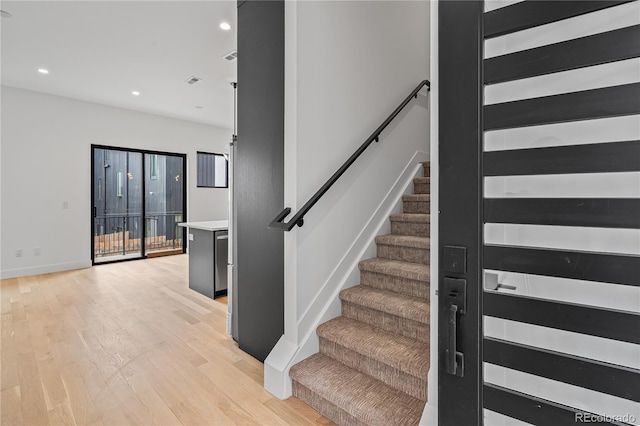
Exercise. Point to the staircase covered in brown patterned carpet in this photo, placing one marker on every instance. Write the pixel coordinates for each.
(373, 361)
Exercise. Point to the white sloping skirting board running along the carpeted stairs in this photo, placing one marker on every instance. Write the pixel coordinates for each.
(326, 304)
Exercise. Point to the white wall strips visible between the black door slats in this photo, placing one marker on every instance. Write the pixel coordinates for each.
(606, 185)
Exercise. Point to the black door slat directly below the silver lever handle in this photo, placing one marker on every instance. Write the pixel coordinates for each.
(607, 323)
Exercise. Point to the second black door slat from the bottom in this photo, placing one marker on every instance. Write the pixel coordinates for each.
(620, 381)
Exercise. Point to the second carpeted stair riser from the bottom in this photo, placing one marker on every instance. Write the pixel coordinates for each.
(388, 375)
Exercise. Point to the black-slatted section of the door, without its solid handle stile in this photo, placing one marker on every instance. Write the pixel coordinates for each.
(562, 213)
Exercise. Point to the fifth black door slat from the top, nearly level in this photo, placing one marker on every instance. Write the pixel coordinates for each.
(591, 212)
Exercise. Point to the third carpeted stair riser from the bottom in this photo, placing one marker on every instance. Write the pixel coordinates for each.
(393, 323)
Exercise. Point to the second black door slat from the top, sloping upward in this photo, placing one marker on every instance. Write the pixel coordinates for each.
(596, 49)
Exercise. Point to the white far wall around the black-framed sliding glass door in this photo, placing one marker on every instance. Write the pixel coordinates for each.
(46, 161)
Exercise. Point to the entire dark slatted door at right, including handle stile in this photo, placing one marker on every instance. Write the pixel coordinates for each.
(552, 266)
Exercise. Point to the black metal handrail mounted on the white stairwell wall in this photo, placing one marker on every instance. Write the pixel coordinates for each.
(298, 219)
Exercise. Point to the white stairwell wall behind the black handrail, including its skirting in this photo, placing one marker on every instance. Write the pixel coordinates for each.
(348, 65)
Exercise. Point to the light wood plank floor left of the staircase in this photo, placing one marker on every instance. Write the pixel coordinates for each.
(128, 343)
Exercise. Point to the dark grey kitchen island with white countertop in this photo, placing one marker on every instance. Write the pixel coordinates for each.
(208, 243)
